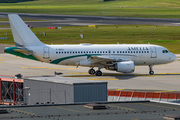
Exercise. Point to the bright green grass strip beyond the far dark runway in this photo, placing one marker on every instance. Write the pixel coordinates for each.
(122, 8)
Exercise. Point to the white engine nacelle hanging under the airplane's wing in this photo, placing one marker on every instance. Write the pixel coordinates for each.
(124, 67)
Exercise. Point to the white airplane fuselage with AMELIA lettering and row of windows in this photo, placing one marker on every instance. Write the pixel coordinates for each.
(141, 54)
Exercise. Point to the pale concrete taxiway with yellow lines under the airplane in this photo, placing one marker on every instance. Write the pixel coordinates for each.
(166, 77)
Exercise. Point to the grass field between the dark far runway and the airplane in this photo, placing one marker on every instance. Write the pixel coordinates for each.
(167, 36)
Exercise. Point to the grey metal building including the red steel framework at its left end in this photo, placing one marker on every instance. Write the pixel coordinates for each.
(50, 90)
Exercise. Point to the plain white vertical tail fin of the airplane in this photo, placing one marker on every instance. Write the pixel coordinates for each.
(23, 36)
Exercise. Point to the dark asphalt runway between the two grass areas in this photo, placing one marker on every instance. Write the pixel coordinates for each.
(50, 20)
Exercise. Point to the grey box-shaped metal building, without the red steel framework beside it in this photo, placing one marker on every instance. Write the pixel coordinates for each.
(47, 90)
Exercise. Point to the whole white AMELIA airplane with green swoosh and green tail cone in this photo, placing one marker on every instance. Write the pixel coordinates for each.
(116, 57)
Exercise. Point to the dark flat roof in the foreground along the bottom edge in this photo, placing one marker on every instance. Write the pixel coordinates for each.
(115, 111)
